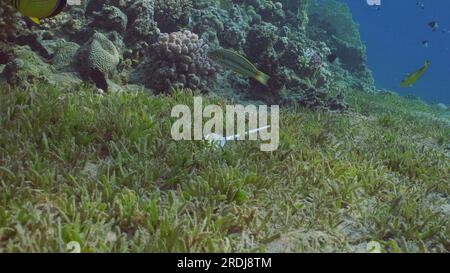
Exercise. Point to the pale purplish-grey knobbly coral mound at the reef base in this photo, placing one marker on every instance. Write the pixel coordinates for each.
(178, 60)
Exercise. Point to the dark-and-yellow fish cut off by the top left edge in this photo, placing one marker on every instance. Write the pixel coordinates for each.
(39, 9)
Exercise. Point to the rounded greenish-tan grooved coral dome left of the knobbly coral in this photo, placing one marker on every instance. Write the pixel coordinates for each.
(97, 60)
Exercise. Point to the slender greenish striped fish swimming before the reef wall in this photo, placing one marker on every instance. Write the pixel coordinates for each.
(238, 63)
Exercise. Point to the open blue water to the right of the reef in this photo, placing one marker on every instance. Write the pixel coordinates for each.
(394, 35)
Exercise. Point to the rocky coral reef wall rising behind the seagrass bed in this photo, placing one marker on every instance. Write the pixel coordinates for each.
(164, 44)
